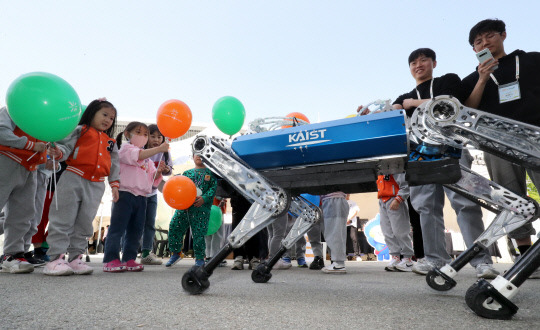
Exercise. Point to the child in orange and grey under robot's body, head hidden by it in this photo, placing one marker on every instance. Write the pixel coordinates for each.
(395, 225)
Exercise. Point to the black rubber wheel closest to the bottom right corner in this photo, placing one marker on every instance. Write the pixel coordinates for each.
(481, 301)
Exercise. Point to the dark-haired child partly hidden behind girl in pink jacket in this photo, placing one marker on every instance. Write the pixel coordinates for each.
(155, 139)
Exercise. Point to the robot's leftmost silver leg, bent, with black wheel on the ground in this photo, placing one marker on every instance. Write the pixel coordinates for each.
(269, 201)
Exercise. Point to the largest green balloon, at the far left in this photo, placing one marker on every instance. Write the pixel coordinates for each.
(44, 106)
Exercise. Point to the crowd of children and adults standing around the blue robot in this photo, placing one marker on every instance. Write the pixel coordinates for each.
(507, 86)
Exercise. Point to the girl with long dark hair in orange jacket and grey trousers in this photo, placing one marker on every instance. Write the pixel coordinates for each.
(91, 155)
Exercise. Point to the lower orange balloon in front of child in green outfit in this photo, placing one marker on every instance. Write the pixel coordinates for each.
(179, 192)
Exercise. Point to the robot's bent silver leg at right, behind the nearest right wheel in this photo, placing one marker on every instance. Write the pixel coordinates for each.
(513, 212)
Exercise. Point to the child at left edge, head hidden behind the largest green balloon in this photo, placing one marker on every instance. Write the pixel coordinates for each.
(20, 154)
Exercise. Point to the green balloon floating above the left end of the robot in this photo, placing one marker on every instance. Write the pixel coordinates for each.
(228, 114)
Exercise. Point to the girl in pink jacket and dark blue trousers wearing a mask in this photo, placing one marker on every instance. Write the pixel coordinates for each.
(138, 175)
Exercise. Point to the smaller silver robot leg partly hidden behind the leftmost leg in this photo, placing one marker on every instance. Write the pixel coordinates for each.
(307, 215)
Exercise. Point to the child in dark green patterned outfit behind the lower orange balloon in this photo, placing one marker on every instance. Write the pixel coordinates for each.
(196, 217)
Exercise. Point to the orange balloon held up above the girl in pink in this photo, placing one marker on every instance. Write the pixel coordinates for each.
(174, 118)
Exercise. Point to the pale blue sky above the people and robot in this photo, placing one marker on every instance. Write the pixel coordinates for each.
(321, 58)
